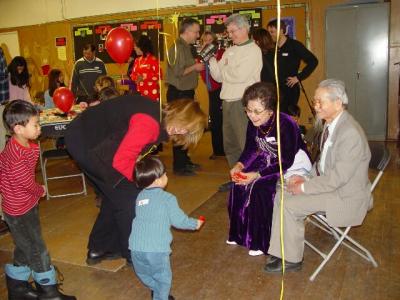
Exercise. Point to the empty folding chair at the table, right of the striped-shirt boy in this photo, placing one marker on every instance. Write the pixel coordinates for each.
(45, 156)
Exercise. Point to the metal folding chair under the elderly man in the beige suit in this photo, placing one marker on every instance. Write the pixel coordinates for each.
(380, 157)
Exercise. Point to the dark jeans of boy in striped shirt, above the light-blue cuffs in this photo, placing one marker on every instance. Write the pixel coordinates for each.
(30, 249)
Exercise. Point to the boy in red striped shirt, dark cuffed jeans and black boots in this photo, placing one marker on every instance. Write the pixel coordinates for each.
(21, 194)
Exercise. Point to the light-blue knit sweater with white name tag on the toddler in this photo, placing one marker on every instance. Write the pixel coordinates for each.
(156, 211)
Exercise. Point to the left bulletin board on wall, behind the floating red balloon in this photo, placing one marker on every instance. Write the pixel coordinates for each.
(96, 34)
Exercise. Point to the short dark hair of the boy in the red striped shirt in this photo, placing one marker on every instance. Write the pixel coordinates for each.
(18, 112)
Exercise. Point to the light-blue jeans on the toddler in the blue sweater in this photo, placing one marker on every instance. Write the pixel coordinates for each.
(154, 270)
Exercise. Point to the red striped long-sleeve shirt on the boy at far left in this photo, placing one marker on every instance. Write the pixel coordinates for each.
(18, 187)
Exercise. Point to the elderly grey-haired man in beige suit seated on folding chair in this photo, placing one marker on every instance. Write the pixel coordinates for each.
(338, 185)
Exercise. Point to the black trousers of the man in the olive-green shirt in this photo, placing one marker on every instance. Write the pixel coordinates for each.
(180, 156)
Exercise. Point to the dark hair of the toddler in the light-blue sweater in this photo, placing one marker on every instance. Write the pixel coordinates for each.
(147, 170)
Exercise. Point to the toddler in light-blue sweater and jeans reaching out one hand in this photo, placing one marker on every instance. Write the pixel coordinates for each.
(151, 237)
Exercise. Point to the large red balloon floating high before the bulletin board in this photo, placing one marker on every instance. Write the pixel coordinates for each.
(119, 44)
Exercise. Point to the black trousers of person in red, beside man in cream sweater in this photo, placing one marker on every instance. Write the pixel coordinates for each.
(215, 112)
